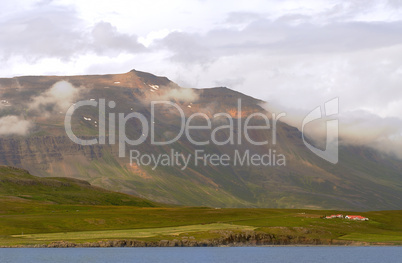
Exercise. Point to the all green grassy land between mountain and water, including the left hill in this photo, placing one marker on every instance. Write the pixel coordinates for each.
(44, 210)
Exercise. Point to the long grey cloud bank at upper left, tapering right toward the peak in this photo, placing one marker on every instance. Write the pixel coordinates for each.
(57, 32)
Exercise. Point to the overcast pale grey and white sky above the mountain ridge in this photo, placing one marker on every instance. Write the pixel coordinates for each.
(296, 54)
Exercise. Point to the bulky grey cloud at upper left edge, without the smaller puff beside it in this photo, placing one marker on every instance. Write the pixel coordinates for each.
(41, 32)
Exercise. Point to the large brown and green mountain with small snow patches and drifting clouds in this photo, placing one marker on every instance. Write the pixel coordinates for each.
(363, 179)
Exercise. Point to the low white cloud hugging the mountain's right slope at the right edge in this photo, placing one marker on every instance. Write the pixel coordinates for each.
(355, 128)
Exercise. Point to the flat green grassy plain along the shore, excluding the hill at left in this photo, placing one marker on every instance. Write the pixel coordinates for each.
(30, 223)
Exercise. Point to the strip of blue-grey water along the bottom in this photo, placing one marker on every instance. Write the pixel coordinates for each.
(197, 255)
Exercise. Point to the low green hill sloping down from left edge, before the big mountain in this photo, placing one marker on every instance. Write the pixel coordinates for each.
(18, 183)
